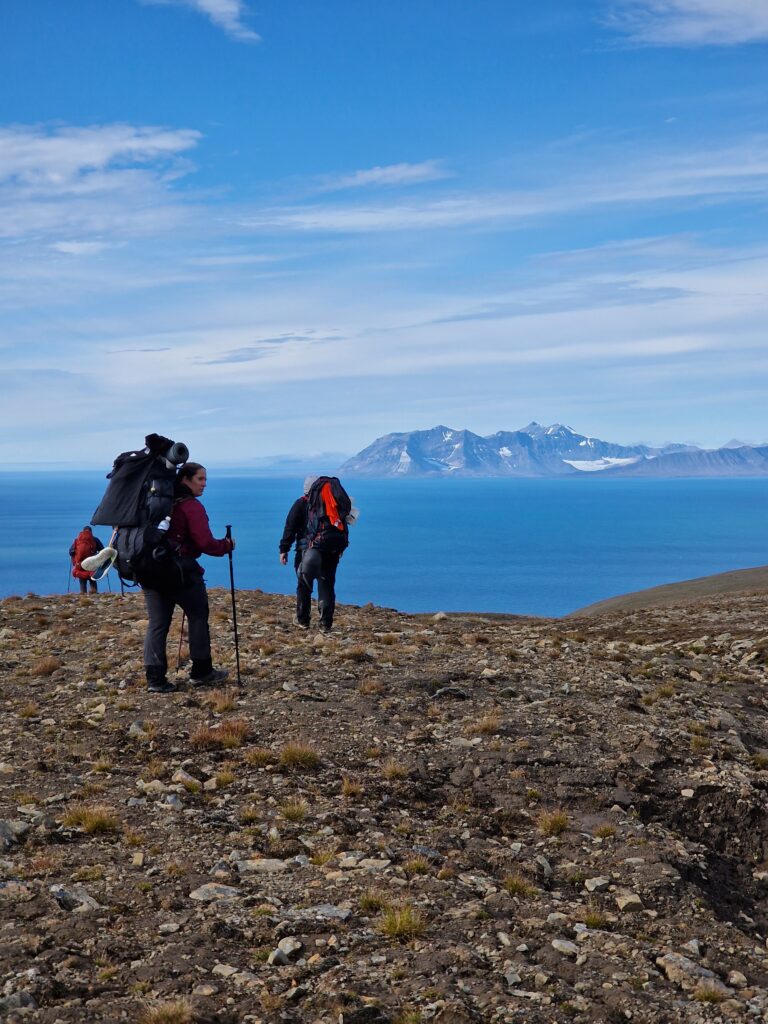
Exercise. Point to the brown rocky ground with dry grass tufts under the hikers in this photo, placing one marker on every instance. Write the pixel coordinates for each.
(416, 819)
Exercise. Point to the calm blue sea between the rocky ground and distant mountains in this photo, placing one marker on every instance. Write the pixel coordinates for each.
(530, 547)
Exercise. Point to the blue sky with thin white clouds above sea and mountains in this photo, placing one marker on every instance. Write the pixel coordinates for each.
(293, 227)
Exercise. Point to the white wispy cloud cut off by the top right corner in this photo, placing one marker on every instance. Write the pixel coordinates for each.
(691, 23)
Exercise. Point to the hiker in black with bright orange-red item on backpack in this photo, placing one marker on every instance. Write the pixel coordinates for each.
(318, 525)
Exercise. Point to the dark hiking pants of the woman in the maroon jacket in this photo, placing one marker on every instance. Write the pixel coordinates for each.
(193, 599)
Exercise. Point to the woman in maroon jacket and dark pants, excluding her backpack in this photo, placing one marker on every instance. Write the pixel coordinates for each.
(191, 535)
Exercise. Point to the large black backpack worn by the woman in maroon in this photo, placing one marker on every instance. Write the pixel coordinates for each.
(138, 499)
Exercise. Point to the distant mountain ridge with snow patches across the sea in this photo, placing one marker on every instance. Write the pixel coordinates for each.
(536, 451)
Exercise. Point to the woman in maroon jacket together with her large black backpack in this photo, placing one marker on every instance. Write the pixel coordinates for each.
(160, 529)
